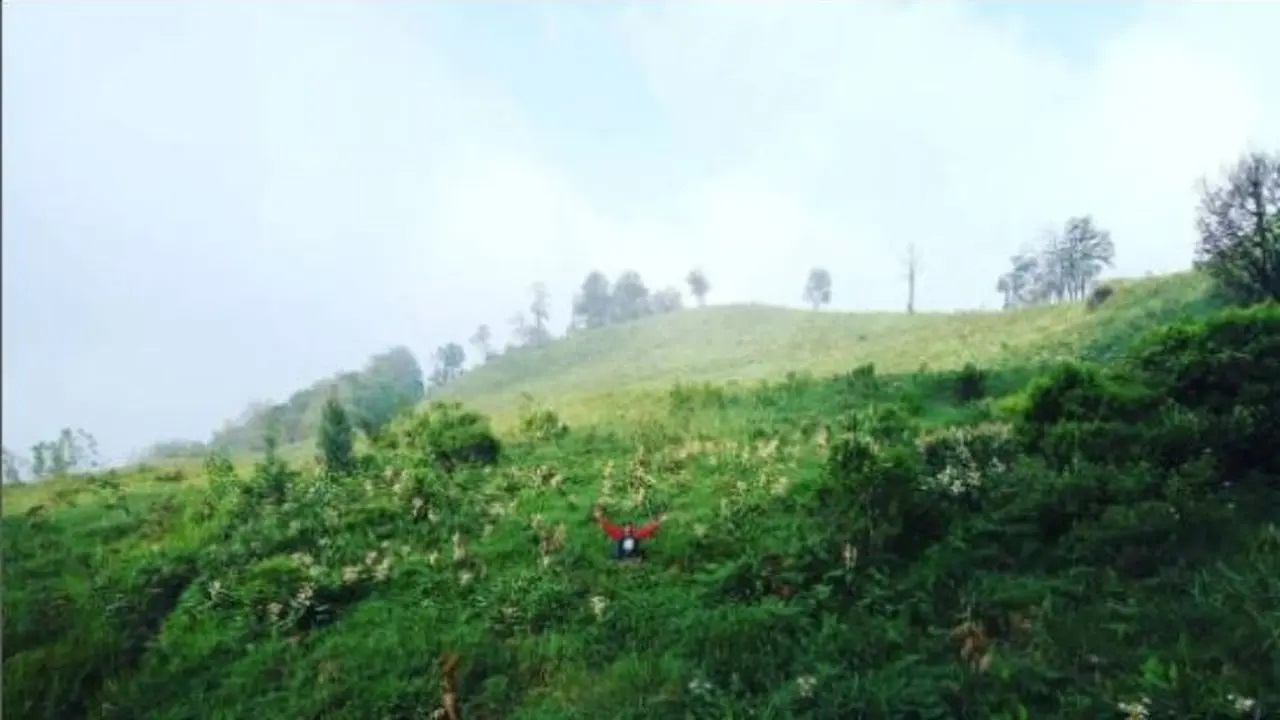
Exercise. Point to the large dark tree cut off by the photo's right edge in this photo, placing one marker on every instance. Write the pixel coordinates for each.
(1240, 230)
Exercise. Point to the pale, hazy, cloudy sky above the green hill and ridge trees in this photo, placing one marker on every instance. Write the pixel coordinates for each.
(212, 203)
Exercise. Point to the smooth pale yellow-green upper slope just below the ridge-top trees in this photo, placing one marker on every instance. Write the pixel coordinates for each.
(753, 343)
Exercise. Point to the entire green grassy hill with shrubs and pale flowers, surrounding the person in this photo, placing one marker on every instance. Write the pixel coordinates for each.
(1021, 541)
